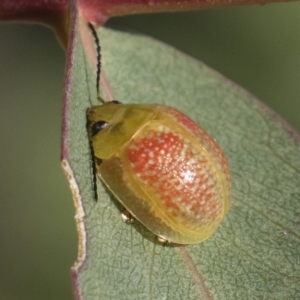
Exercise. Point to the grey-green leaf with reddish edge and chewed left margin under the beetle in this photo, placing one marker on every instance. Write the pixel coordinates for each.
(255, 252)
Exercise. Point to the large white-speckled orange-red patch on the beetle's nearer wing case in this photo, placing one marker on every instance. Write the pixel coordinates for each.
(180, 174)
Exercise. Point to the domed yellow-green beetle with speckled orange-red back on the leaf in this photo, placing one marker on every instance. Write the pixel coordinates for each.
(167, 171)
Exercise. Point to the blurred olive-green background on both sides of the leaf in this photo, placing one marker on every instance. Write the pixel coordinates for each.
(258, 47)
